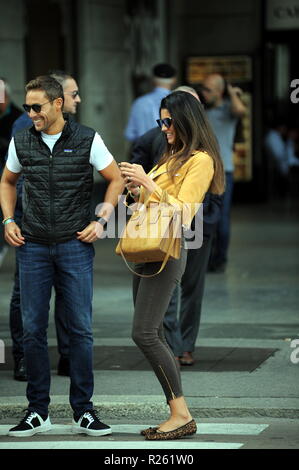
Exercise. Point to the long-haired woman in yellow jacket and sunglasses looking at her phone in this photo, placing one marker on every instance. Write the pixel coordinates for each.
(189, 168)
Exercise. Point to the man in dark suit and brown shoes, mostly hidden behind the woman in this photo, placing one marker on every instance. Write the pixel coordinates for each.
(181, 327)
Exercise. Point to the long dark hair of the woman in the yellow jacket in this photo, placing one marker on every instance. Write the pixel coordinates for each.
(193, 132)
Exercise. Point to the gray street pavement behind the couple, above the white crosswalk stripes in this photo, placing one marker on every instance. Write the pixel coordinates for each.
(247, 364)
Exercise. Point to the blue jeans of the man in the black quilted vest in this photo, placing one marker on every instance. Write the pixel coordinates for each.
(71, 265)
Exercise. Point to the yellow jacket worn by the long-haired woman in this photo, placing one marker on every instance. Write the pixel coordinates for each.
(187, 191)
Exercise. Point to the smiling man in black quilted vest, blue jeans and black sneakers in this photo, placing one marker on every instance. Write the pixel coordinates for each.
(56, 157)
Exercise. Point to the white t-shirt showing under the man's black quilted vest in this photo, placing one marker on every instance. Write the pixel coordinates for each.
(100, 157)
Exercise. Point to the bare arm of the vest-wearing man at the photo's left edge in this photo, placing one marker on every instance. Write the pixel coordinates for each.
(8, 198)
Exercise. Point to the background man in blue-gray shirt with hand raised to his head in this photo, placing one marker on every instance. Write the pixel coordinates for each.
(223, 114)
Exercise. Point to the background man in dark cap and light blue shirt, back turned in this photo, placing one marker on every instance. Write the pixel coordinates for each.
(145, 109)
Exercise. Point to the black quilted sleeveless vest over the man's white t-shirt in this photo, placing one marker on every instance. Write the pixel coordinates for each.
(57, 185)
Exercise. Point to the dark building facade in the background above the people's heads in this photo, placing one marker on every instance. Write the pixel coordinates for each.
(110, 47)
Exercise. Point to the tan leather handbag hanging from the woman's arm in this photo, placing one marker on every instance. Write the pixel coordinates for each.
(152, 234)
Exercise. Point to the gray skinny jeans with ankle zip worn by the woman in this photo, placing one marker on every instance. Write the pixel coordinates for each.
(151, 299)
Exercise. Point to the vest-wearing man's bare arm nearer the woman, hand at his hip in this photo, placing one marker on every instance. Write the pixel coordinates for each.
(115, 188)
